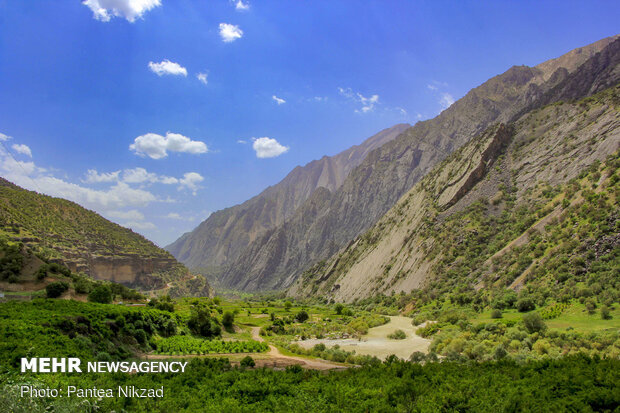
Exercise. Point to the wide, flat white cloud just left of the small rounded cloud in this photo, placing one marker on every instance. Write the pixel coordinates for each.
(156, 146)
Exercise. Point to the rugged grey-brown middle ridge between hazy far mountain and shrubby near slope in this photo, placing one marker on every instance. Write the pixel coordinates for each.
(330, 220)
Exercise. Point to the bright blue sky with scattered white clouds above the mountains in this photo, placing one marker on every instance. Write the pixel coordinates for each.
(105, 106)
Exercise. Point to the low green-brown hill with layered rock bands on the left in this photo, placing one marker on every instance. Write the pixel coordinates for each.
(64, 232)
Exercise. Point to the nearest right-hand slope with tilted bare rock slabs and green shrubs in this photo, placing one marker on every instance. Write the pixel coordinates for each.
(496, 212)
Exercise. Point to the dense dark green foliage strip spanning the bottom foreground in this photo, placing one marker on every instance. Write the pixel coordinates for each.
(210, 385)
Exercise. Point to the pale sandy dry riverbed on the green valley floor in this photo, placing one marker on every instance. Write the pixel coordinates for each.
(376, 342)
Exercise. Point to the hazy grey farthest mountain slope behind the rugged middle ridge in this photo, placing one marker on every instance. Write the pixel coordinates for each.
(223, 236)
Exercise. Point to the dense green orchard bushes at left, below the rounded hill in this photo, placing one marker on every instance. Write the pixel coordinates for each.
(56, 328)
